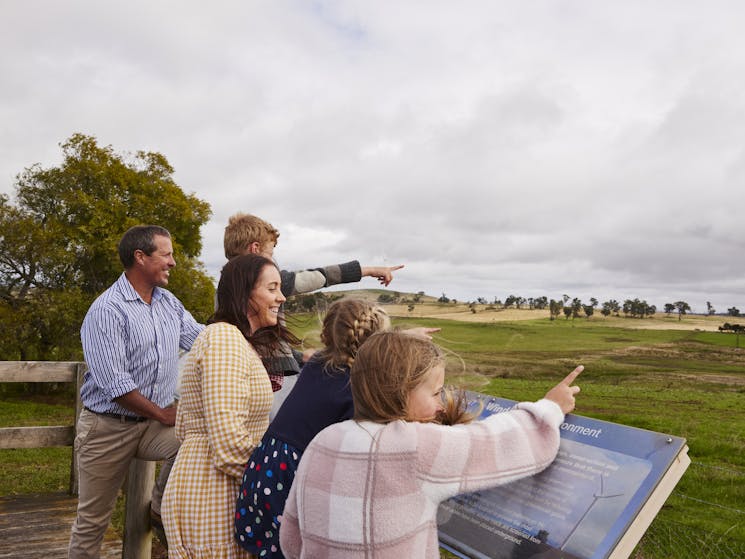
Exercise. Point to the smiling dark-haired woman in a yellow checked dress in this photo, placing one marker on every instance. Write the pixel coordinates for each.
(224, 410)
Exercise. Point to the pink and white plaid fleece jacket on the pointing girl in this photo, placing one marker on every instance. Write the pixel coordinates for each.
(371, 490)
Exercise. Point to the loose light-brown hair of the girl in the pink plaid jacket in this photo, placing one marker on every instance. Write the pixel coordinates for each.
(389, 365)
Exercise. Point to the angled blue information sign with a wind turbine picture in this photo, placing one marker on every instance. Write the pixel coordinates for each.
(595, 501)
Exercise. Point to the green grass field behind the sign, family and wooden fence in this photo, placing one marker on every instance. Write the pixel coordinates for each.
(682, 382)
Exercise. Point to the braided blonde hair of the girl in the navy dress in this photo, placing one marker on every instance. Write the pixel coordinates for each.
(347, 324)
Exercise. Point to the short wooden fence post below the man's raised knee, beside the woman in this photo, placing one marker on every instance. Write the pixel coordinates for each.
(137, 542)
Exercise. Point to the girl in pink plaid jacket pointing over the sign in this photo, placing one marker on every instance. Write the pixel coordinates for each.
(370, 486)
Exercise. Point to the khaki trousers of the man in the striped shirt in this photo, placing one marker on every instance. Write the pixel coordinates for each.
(105, 447)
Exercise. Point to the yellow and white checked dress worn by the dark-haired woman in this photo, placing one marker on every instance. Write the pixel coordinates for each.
(226, 396)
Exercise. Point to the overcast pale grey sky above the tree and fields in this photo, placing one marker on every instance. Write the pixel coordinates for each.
(593, 148)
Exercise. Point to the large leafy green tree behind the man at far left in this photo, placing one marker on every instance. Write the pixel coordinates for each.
(58, 242)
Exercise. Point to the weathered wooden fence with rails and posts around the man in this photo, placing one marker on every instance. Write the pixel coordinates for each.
(137, 541)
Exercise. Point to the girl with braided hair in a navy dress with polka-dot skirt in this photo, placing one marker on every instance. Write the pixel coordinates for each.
(322, 396)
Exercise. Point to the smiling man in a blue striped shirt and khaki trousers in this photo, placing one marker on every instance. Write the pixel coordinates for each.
(131, 338)
